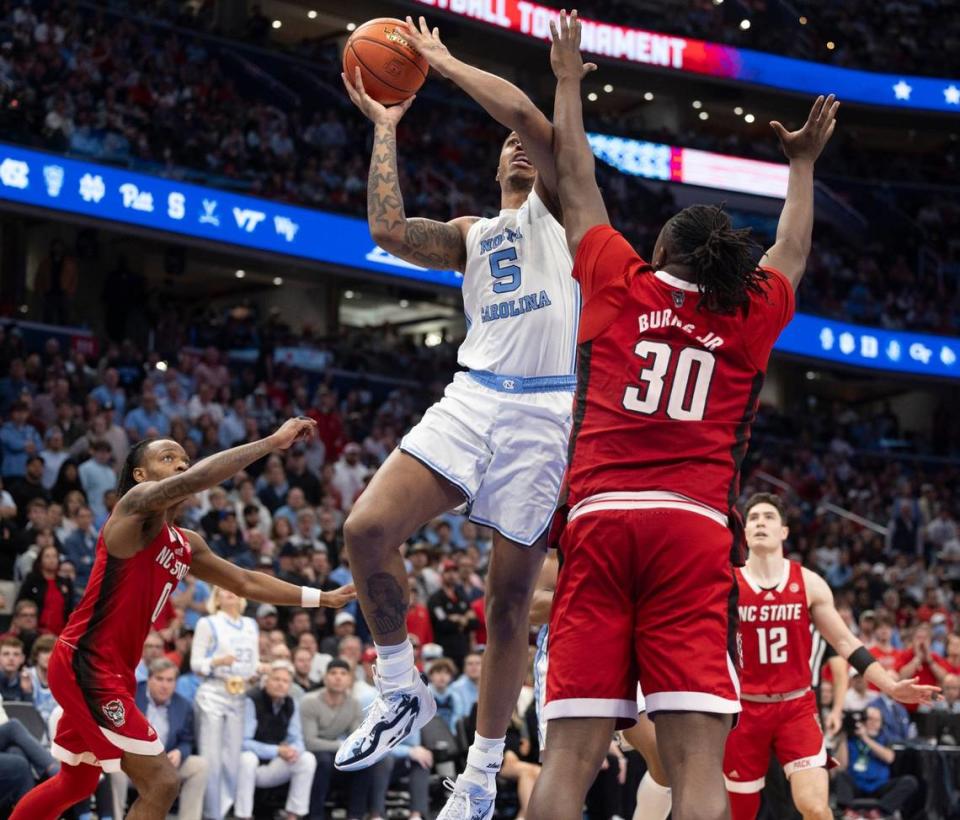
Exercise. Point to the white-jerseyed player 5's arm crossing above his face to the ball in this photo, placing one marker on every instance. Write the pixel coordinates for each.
(502, 100)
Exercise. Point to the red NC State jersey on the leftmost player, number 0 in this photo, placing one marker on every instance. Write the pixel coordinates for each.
(124, 597)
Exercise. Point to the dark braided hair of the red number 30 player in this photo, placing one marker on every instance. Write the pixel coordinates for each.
(723, 258)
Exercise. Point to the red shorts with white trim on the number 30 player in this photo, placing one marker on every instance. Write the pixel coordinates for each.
(645, 593)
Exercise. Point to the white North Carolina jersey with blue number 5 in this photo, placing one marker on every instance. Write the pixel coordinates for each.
(521, 303)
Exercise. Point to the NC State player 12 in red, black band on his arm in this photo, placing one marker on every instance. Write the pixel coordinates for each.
(779, 601)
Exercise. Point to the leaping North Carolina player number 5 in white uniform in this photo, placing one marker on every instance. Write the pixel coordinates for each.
(497, 440)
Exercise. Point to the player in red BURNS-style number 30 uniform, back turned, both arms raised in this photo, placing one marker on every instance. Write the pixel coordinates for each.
(672, 357)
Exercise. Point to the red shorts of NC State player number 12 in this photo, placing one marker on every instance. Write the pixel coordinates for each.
(789, 728)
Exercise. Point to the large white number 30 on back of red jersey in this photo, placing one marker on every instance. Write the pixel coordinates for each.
(687, 390)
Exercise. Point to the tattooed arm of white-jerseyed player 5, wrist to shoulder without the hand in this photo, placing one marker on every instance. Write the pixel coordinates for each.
(421, 241)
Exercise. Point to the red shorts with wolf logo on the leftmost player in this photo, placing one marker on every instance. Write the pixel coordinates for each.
(97, 719)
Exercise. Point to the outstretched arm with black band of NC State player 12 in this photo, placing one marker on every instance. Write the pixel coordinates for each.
(837, 634)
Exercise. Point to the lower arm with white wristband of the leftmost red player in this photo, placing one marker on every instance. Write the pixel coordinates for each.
(258, 586)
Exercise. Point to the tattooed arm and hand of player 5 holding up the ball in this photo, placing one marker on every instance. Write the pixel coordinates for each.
(418, 241)
